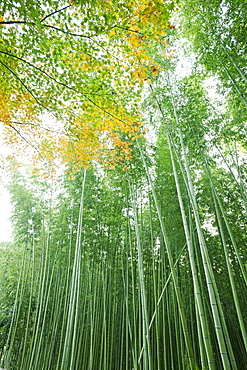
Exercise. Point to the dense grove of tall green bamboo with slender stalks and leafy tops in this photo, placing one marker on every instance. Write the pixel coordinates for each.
(144, 268)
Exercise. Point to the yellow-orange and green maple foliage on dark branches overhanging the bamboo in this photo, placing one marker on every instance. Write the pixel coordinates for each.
(83, 65)
